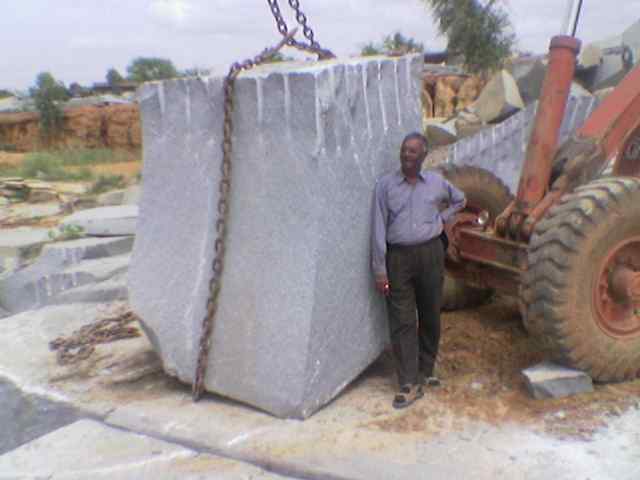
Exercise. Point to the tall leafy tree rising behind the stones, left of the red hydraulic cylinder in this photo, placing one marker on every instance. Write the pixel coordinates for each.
(479, 32)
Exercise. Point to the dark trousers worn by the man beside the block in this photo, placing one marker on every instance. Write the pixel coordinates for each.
(416, 276)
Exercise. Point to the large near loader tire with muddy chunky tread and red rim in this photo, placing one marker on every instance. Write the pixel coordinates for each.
(567, 299)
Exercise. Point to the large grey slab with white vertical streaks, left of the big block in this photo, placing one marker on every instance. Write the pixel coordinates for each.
(57, 270)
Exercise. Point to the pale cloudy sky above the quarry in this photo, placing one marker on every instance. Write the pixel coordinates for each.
(79, 40)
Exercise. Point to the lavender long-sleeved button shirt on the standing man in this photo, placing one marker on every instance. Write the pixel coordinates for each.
(405, 214)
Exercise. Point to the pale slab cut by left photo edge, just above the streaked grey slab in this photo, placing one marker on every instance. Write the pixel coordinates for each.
(18, 245)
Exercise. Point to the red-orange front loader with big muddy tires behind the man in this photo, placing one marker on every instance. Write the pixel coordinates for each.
(568, 245)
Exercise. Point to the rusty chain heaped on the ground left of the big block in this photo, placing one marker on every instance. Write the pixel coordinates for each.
(81, 343)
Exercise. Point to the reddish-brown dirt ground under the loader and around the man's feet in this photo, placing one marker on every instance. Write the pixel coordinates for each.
(482, 354)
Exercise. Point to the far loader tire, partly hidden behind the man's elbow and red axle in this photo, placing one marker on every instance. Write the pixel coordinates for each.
(484, 191)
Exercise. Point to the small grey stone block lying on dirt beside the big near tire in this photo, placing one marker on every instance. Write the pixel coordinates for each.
(548, 380)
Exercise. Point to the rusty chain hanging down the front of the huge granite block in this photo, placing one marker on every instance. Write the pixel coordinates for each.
(224, 188)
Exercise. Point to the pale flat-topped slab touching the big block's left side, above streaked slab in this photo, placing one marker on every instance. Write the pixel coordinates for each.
(106, 221)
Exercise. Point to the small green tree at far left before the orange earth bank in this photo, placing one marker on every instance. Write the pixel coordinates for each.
(46, 93)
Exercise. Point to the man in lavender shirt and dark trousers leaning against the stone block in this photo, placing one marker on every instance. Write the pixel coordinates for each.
(408, 262)
